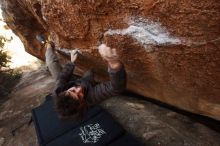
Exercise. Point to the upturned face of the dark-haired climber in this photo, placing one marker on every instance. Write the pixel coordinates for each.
(75, 92)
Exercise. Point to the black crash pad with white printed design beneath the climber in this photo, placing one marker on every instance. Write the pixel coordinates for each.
(98, 128)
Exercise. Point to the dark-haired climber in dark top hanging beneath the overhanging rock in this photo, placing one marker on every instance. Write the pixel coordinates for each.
(74, 97)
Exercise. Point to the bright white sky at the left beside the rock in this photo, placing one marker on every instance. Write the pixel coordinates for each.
(15, 48)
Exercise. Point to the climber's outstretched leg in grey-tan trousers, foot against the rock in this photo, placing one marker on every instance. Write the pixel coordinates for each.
(52, 62)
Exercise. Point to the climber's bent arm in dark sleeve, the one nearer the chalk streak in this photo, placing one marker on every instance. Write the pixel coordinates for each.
(117, 75)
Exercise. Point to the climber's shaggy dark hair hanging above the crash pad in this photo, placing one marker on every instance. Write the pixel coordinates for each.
(69, 108)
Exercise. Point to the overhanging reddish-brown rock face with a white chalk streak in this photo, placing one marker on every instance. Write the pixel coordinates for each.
(171, 49)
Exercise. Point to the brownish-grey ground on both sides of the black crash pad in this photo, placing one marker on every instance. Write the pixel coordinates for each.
(152, 124)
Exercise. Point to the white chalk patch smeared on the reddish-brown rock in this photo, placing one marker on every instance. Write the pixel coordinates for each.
(147, 33)
